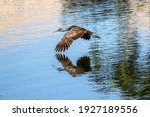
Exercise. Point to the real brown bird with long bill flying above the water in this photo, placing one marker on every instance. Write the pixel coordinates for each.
(74, 32)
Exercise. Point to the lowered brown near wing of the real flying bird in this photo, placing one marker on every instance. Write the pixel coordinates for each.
(68, 38)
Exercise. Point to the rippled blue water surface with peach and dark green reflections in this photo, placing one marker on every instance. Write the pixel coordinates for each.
(114, 67)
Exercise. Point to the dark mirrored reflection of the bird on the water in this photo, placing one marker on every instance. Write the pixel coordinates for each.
(82, 65)
